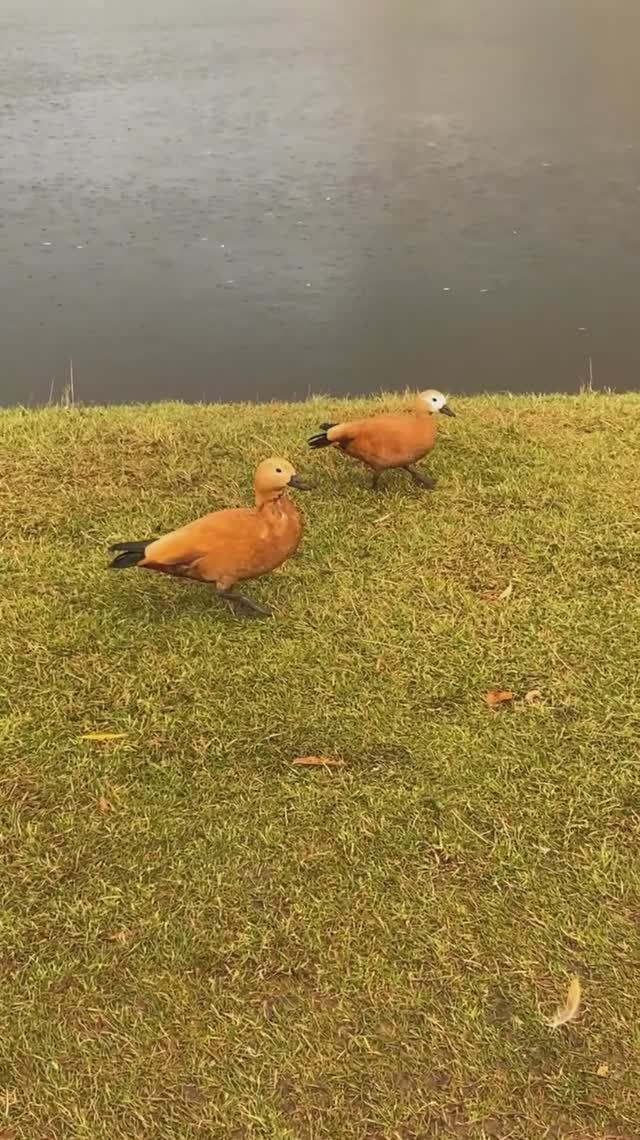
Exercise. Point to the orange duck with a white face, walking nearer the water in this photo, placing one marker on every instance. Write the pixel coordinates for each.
(387, 441)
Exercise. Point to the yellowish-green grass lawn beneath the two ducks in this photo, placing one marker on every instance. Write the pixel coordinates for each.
(200, 940)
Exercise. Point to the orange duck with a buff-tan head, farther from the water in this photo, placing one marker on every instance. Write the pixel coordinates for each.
(229, 547)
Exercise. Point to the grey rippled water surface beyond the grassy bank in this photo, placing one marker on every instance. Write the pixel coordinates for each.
(250, 199)
